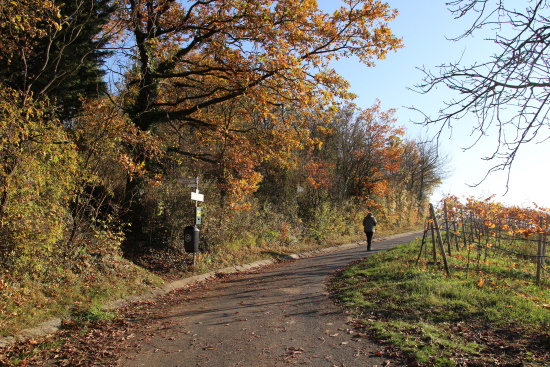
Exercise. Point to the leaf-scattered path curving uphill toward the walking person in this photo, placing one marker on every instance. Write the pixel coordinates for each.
(276, 316)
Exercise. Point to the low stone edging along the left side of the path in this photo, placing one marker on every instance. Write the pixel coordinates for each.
(53, 325)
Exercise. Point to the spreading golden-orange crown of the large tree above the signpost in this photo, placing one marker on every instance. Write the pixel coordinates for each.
(218, 78)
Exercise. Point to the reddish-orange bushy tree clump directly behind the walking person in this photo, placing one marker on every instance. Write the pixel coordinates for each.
(363, 160)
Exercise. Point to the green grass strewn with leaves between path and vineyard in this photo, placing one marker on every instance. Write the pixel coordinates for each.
(436, 320)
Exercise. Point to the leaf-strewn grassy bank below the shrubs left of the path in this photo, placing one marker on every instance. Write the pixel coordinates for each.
(68, 295)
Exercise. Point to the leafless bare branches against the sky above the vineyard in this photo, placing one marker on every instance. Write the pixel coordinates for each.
(510, 91)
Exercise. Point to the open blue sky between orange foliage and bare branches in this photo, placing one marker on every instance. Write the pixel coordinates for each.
(424, 26)
